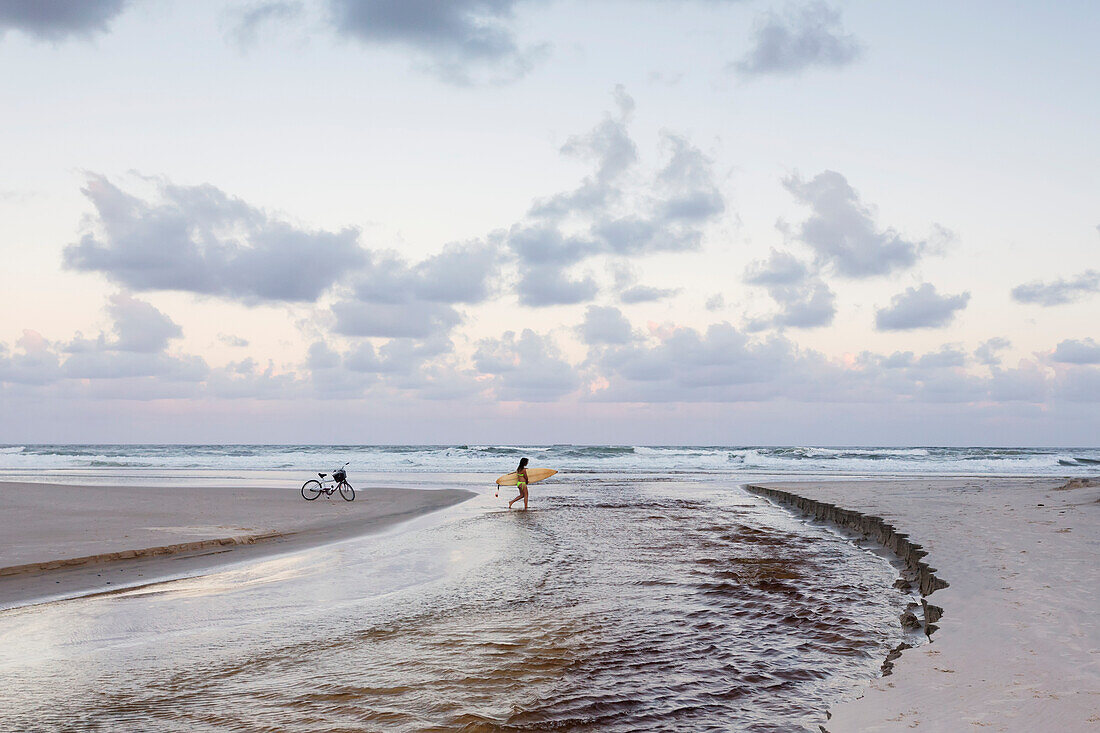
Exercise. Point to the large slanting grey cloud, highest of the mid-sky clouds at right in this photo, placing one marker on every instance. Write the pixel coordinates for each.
(842, 231)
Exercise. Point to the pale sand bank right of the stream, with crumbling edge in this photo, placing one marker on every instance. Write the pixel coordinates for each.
(1015, 566)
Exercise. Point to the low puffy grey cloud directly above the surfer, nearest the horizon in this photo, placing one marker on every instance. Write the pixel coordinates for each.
(526, 369)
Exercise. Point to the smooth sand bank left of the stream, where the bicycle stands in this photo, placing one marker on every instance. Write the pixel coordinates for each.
(62, 541)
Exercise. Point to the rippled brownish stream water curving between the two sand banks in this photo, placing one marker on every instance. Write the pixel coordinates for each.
(614, 608)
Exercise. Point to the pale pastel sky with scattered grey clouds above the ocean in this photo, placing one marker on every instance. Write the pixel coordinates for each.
(535, 222)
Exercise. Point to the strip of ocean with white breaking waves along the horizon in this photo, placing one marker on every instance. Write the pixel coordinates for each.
(95, 462)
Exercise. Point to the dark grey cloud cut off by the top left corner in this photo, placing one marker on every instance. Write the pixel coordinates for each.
(57, 20)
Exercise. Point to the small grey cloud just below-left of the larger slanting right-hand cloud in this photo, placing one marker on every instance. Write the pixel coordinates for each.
(806, 301)
